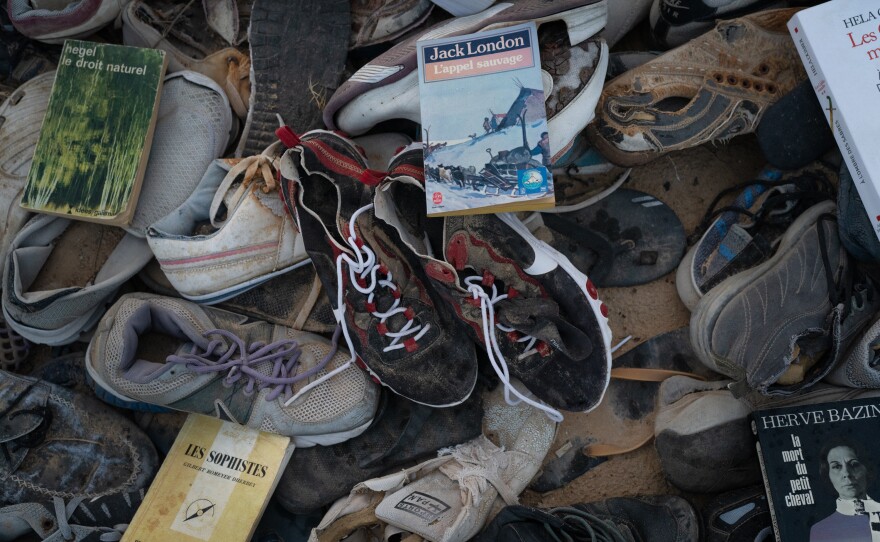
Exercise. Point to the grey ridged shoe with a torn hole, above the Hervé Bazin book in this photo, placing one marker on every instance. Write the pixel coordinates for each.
(781, 326)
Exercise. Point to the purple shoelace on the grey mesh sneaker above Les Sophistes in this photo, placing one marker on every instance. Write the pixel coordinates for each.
(240, 359)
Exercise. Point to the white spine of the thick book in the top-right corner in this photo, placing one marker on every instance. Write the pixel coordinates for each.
(842, 134)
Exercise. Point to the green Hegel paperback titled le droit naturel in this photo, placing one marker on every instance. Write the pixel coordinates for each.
(95, 139)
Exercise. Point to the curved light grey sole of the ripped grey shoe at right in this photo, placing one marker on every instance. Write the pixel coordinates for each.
(710, 306)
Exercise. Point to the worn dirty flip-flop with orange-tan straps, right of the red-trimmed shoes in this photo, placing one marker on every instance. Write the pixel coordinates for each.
(624, 420)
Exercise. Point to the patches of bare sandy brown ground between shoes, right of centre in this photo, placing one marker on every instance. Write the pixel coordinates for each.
(687, 181)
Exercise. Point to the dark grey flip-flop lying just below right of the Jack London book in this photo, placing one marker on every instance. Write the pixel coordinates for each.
(627, 238)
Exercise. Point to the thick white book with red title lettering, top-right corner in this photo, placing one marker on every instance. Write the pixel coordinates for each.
(838, 45)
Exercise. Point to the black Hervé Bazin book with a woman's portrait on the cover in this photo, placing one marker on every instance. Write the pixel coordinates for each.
(820, 470)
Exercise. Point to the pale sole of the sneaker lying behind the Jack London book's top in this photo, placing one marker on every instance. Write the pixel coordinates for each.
(348, 113)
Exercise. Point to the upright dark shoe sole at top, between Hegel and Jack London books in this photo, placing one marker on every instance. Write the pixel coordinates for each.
(285, 71)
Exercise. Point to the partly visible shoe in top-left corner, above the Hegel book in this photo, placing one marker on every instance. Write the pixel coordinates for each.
(62, 20)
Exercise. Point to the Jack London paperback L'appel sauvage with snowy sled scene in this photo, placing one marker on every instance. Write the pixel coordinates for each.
(484, 124)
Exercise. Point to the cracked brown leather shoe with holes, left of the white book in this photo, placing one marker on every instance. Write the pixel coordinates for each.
(713, 88)
